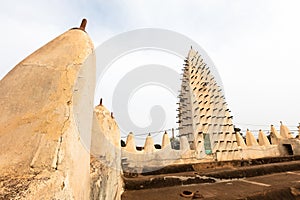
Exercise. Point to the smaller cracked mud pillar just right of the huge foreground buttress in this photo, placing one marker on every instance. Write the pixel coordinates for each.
(106, 180)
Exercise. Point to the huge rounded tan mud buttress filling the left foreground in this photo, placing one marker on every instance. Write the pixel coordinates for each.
(41, 151)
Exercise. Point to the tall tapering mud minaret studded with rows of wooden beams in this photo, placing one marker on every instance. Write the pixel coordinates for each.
(203, 114)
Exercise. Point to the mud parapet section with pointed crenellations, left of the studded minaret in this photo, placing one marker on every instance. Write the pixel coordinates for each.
(150, 158)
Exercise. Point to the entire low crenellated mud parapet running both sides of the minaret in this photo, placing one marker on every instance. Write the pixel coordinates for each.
(150, 158)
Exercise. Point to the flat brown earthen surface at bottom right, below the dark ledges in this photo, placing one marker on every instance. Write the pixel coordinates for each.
(284, 185)
